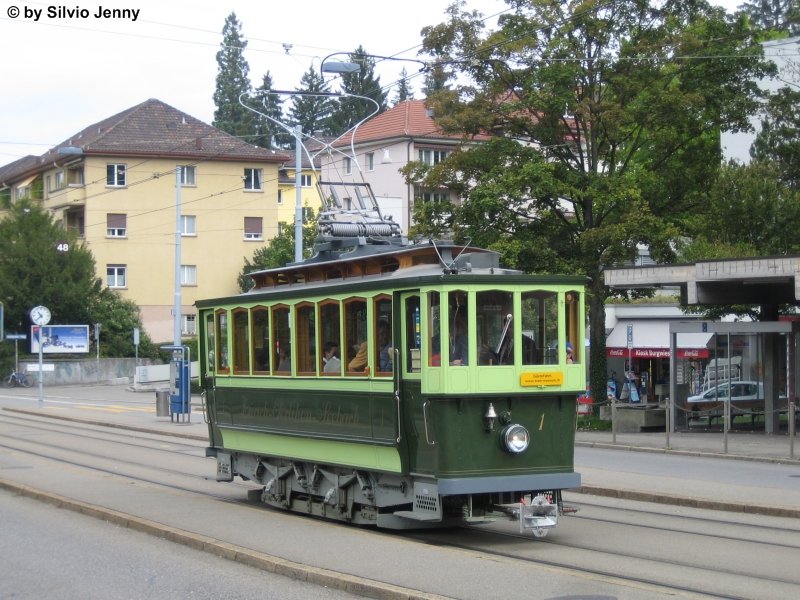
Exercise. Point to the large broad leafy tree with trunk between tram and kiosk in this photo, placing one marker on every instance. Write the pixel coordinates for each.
(607, 120)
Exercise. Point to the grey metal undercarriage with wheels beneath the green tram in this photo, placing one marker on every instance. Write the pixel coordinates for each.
(382, 499)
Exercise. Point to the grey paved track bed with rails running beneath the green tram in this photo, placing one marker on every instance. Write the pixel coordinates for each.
(608, 542)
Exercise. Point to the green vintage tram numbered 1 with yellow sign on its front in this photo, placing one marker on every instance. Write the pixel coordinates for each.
(397, 384)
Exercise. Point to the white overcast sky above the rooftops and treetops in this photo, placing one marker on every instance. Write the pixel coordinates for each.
(63, 73)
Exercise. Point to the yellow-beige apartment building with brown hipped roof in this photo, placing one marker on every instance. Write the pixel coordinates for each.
(115, 183)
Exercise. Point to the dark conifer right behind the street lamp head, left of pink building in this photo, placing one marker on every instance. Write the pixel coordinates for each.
(364, 82)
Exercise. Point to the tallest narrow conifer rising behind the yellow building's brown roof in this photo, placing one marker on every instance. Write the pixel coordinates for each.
(233, 81)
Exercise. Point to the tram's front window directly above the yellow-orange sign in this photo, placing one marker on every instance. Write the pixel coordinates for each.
(539, 327)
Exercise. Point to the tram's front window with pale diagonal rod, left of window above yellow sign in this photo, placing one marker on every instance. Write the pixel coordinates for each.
(495, 318)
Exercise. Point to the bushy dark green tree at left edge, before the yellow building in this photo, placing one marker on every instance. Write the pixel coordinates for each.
(41, 263)
